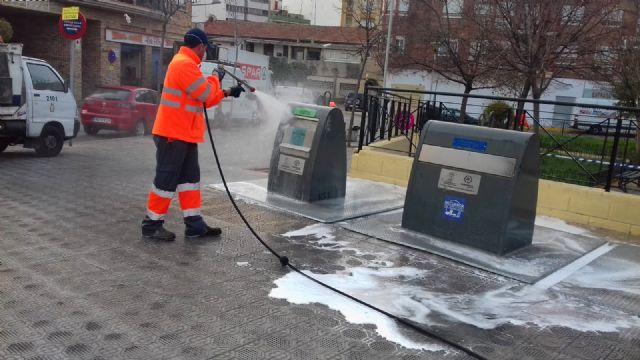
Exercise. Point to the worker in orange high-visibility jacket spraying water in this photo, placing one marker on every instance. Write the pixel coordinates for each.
(178, 129)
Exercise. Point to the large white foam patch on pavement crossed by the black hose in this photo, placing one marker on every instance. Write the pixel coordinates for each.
(397, 290)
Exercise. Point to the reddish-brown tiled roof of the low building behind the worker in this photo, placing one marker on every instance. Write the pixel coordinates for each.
(286, 32)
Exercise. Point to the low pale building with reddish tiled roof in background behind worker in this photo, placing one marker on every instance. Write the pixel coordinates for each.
(329, 52)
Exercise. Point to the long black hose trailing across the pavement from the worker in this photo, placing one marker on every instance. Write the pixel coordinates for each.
(285, 262)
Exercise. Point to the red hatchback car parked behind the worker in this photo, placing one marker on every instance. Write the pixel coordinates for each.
(122, 108)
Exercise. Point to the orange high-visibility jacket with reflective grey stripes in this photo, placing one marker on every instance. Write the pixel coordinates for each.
(185, 90)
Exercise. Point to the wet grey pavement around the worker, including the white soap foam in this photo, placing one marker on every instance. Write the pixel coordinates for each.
(78, 282)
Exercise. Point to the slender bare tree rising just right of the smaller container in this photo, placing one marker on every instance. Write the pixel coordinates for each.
(367, 14)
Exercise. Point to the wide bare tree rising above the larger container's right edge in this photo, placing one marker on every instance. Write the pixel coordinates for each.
(539, 41)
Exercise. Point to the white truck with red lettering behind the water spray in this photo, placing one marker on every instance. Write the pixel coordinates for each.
(252, 67)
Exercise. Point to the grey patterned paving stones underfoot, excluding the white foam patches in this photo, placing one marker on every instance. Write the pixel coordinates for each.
(77, 281)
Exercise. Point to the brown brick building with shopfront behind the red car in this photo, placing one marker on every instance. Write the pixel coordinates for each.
(120, 47)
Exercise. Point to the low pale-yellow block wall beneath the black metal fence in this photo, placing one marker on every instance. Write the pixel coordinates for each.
(577, 204)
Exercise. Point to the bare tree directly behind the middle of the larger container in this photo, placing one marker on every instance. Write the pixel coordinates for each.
(447, 38)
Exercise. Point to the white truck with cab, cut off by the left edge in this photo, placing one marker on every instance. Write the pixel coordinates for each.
(37, 110)
